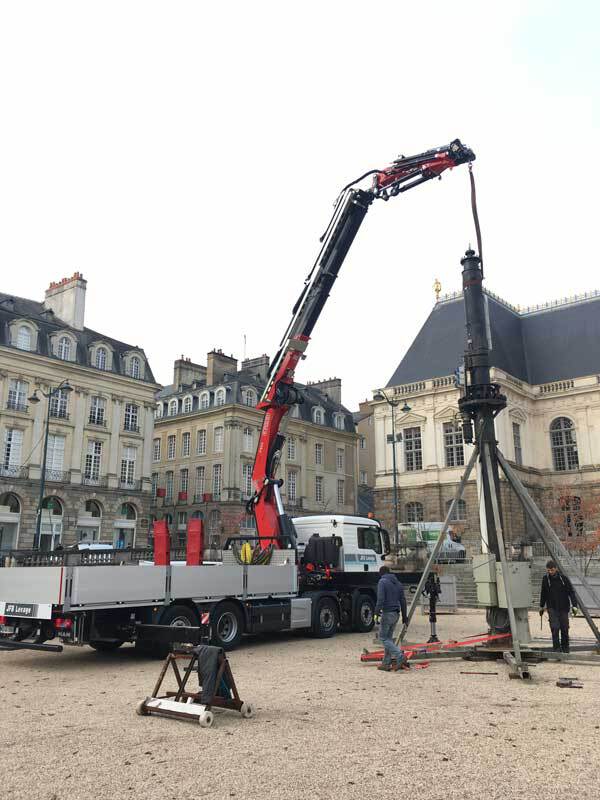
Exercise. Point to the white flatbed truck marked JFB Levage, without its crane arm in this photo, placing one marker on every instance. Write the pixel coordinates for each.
(81, 601)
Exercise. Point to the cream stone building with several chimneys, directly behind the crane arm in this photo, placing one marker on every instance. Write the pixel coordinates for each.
(206, 433)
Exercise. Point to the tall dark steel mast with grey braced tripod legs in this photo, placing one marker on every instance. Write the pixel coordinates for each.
(481, 402)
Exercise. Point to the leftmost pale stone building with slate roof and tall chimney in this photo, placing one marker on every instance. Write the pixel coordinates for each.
(97, 477)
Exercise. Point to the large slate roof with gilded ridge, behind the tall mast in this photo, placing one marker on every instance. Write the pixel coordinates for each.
(547, 343)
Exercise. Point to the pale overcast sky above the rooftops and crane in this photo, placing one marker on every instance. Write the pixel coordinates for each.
(184, 156)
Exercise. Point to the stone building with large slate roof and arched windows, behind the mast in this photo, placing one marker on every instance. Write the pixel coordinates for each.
(547, 361)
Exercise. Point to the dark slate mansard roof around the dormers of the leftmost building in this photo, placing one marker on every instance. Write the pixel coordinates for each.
(47, 323)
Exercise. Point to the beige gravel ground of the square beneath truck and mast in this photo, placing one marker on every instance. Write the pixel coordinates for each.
(326, 727)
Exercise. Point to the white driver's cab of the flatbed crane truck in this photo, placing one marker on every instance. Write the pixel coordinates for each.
(364, 542)
